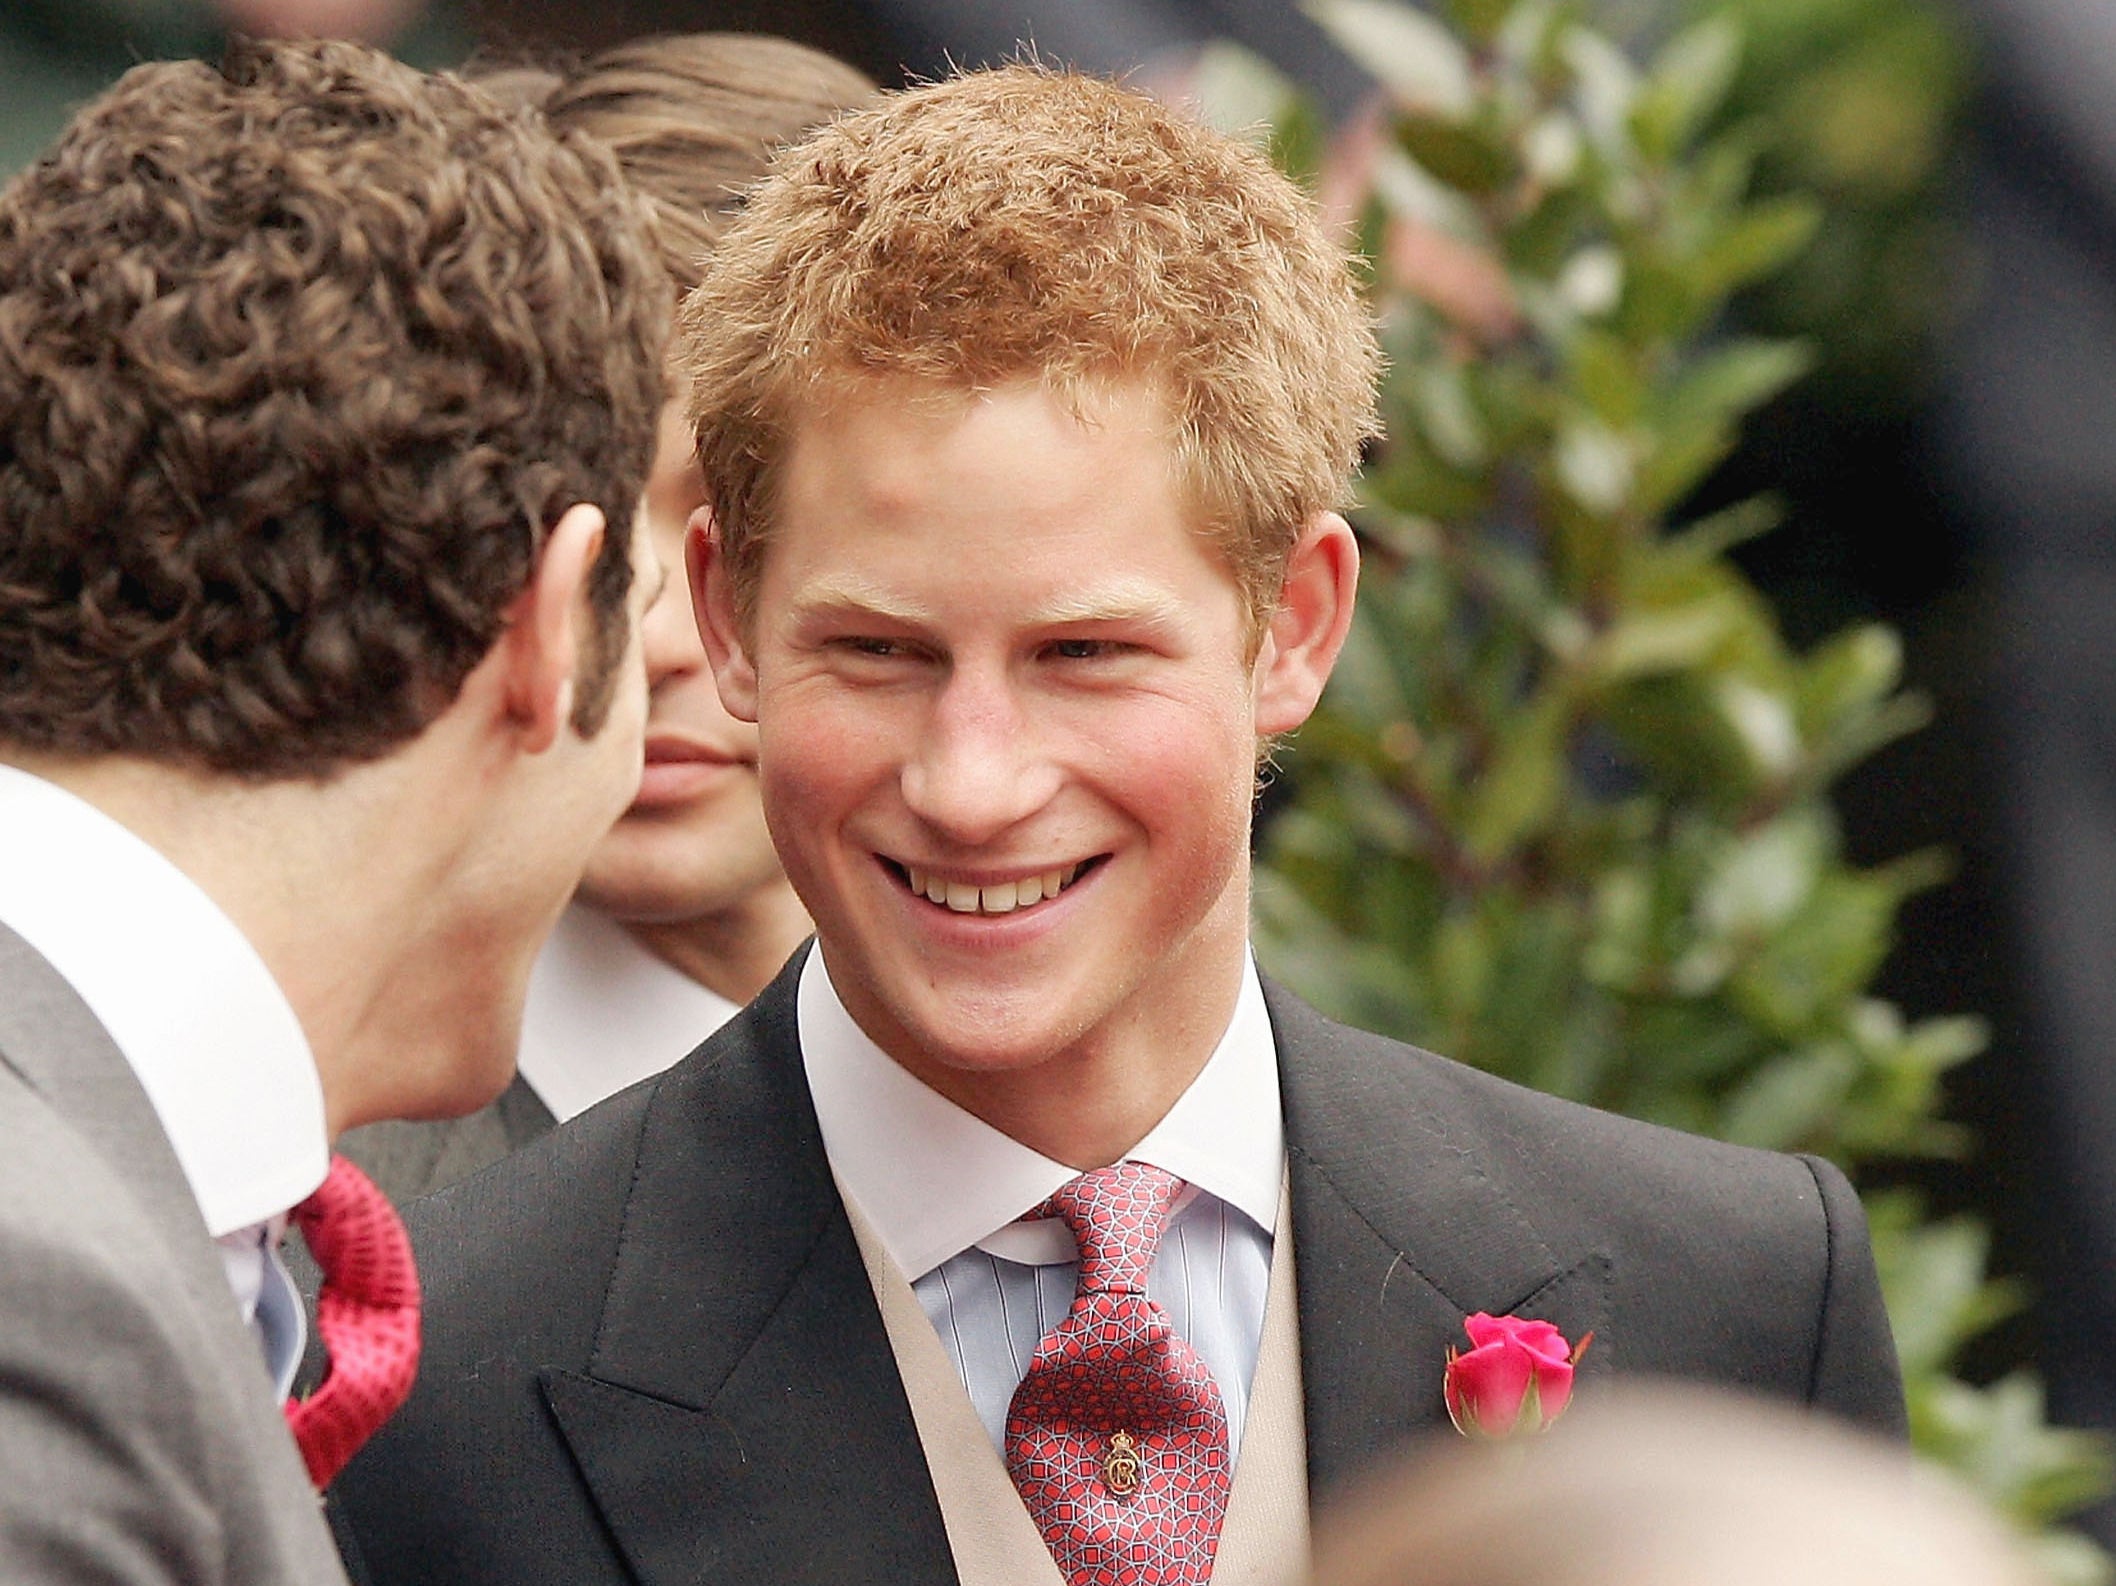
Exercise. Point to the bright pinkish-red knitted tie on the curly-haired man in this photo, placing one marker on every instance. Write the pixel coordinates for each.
(367, 1312)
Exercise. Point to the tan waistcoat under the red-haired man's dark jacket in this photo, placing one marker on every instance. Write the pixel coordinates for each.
(996, 1543)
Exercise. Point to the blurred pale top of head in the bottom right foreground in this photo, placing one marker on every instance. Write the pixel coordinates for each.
(1660, 1486)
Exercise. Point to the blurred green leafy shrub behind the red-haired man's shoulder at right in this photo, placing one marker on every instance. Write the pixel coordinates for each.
(1565, 811)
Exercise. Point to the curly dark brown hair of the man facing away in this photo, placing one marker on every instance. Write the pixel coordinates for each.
(302, 358)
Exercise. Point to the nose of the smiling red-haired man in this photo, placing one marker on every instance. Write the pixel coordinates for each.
(981, 764)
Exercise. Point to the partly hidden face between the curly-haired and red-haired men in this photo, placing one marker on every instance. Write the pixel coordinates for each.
(693, 843)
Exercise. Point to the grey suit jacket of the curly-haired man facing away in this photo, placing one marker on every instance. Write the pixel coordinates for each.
(141, 1439)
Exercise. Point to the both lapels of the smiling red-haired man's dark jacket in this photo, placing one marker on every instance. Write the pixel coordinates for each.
(740, 1302)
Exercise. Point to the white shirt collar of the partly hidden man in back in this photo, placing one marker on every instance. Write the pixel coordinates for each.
(604, 1014)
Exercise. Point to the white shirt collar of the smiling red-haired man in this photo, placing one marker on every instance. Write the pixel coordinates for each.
(936, 1181)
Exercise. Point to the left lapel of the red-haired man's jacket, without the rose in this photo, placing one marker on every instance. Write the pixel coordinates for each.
(742, 1418)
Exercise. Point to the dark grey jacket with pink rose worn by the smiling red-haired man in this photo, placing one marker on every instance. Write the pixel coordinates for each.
(655, 1357)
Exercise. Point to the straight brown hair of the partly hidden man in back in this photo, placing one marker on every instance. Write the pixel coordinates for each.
(693, 119)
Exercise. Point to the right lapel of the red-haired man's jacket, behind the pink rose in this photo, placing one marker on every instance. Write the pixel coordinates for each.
(1404, 1228)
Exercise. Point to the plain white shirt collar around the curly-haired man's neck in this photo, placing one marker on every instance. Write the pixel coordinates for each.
(183, 995)
